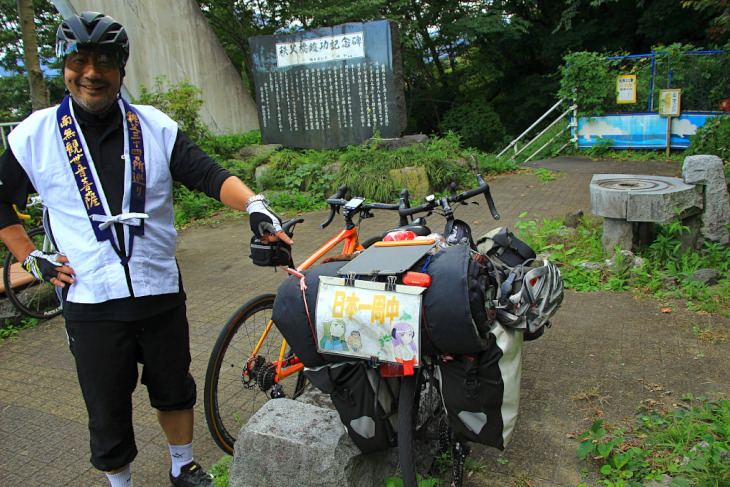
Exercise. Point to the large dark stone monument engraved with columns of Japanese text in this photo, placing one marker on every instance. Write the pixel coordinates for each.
(329, 87)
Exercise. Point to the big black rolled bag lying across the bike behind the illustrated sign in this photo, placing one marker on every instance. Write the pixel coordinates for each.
(456, 317)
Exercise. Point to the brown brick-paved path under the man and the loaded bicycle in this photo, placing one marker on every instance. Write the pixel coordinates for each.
(609, 347)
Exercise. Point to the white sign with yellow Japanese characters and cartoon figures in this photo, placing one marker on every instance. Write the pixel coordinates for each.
(364, 320)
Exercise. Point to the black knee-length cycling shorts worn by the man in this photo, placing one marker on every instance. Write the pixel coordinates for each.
(107, 355)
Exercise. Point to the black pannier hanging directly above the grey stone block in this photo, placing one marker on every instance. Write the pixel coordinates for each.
(353, 388)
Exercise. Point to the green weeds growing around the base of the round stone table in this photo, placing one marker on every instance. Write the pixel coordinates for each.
(667, 272)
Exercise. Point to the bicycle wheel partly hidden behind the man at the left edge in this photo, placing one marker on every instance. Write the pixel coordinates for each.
(36, 299)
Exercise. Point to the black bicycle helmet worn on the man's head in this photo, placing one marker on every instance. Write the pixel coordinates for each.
(92, 29)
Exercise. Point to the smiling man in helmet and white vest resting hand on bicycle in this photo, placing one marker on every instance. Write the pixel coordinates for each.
(105, 169)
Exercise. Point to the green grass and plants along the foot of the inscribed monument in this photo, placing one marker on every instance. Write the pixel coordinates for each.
(299, 181)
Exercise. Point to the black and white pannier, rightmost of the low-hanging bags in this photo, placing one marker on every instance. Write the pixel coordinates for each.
(481, 393)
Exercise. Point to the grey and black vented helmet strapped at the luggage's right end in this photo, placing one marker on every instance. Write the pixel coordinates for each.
(535, 296)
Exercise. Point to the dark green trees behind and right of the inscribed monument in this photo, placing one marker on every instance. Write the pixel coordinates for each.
(495, 56)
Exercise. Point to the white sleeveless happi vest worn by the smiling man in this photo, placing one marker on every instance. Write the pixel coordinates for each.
(38, 146)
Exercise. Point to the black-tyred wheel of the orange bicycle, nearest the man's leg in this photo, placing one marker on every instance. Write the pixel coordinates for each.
(228, 401)
